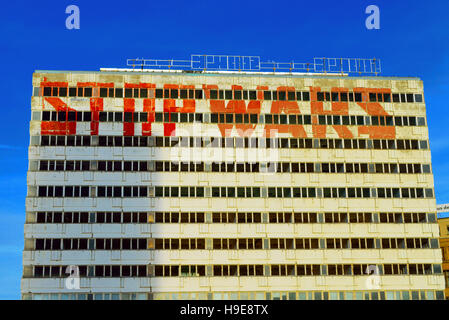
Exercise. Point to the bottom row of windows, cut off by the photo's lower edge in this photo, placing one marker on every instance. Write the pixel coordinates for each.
(245, 295)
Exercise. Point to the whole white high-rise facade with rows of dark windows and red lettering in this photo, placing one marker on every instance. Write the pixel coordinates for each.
(181, 185)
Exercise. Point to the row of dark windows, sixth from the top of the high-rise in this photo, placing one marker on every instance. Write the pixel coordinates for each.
(233, 217)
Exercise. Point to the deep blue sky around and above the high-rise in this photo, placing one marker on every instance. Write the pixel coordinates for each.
(413, 40)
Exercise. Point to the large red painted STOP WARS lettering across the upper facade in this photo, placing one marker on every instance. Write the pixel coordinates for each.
(241, 107)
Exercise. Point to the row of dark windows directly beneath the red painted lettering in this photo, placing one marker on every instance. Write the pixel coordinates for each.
(230, 142)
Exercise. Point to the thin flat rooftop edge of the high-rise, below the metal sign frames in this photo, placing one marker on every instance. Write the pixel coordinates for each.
(216, 73)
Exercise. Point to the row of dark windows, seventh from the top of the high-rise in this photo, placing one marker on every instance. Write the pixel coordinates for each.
(233, 244)
